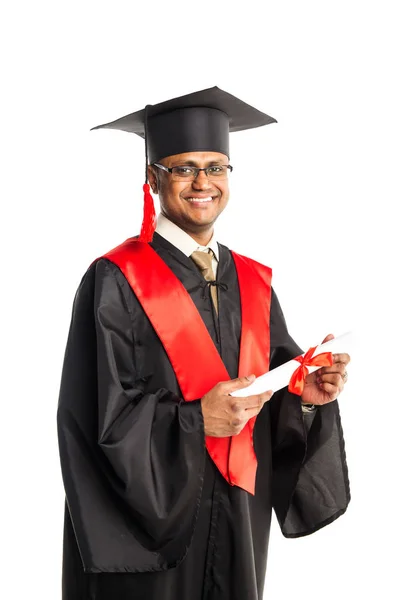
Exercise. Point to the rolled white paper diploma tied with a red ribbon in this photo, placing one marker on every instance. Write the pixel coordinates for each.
(278, 378)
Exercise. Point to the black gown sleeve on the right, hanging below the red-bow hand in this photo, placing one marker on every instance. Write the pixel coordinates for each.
(310, 476)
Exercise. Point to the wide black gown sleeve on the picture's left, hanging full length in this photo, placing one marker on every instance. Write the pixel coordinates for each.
(132, 461)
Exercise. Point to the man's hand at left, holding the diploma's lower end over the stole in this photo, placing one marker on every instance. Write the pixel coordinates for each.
(225, 415)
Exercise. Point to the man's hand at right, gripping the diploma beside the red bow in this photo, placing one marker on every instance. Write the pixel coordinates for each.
(325, 384)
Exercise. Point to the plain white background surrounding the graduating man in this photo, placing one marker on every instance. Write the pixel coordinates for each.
(312, 196)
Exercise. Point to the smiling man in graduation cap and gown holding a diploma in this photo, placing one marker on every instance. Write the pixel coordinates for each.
(170, 480)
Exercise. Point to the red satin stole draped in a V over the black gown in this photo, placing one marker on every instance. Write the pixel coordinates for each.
(180, 328)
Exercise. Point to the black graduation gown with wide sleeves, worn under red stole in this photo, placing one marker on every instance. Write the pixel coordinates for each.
(148, 515)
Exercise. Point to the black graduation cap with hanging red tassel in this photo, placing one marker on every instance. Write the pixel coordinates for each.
(196, 122)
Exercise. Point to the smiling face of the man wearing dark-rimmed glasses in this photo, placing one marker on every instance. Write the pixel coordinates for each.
(192, 205)
